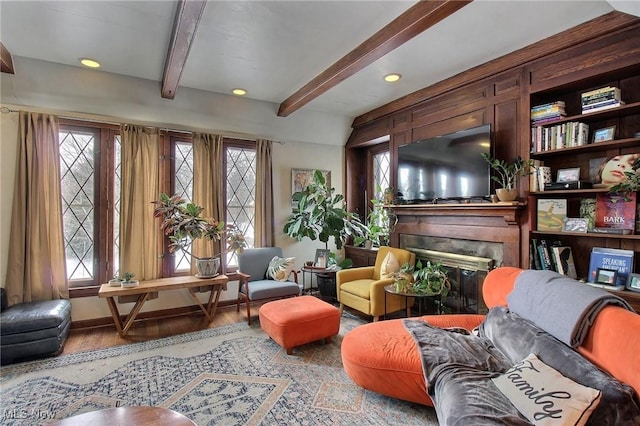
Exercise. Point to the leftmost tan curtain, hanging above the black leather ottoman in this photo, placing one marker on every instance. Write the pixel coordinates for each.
(36, 262)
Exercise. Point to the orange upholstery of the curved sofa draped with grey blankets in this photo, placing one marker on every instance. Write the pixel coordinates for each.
(383, 356)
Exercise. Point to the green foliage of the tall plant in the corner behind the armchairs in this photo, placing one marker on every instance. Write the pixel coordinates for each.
(320, 214)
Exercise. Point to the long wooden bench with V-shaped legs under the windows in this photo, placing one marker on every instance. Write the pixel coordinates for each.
(215, 286)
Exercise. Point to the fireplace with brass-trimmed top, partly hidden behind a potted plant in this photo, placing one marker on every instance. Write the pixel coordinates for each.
(466, 274)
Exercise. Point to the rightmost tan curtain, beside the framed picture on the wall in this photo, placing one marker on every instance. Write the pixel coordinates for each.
(264, 221)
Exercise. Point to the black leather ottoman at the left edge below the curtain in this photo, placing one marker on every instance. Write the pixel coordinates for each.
(34, 330)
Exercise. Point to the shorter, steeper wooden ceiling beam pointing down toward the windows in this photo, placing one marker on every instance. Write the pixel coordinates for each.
(188, 15)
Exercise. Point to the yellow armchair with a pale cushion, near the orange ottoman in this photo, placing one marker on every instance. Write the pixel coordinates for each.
(363, 288)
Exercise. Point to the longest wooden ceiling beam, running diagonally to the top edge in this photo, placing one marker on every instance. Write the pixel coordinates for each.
(412, 22)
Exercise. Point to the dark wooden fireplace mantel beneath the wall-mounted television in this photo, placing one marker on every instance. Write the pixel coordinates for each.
(490, 222)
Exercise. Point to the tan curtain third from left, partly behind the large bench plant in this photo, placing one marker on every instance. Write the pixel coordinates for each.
(208, 186)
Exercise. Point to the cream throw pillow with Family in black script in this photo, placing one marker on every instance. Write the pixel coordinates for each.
(546, 397)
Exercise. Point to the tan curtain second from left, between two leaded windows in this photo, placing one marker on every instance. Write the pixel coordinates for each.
(139, 231)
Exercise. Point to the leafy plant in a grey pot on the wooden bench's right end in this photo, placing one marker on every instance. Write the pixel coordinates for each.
(182, 222)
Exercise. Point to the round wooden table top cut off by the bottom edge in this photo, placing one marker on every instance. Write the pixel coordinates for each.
(139, 416)
